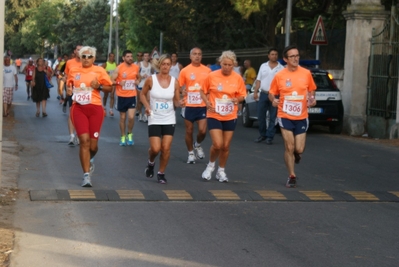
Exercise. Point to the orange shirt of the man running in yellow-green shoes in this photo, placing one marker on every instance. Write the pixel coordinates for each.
(129, 74)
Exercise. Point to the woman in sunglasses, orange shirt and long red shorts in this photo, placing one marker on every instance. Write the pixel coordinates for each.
(87, 113)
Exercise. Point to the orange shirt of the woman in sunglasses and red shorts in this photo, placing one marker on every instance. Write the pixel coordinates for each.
(80, 75)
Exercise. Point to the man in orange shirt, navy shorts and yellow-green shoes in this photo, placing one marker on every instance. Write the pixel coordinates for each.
(126, 77)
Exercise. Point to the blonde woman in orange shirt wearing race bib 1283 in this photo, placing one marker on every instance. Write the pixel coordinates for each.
(222, 91)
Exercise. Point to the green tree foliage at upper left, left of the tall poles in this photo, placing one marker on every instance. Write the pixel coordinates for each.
(35, 25)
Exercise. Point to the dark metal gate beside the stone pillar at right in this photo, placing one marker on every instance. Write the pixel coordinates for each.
(383, 71)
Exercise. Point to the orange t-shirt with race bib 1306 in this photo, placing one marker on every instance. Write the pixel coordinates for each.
(293, 88)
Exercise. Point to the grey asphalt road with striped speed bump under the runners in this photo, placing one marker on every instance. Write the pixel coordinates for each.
(344, 211)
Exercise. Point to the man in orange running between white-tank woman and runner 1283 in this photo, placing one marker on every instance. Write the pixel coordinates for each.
(190, 80)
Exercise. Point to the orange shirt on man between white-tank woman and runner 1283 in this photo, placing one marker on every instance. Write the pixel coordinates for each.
(193, 77)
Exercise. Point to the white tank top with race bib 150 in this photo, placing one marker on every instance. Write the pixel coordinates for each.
(161, 103)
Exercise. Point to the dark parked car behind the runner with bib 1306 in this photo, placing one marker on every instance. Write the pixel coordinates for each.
(328, 111)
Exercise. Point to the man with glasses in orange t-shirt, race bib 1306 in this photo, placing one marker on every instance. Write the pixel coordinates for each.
(295, 88)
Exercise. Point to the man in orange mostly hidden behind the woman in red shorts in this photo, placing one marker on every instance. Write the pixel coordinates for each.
(70, 64)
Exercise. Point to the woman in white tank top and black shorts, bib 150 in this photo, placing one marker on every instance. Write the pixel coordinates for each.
(164, 97)
